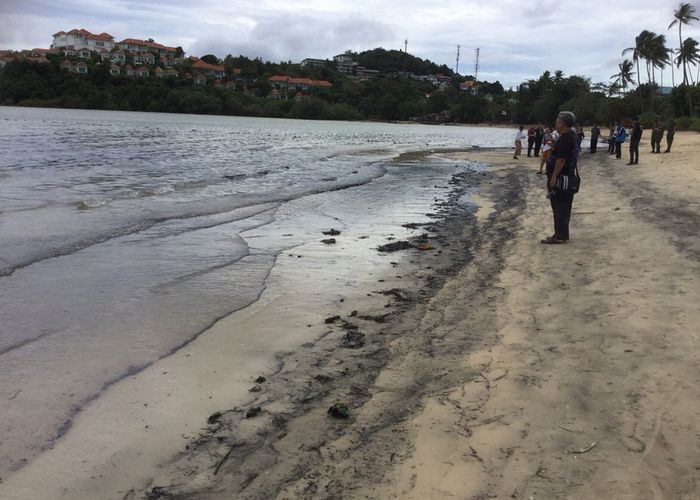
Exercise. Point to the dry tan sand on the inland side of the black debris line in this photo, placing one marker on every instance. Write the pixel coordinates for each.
(486, 389)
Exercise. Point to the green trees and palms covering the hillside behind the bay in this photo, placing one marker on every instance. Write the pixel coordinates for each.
(397, 95)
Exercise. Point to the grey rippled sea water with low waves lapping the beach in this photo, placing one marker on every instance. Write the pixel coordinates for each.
(125, 235)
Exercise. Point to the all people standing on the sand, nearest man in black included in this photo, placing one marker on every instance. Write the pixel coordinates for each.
(560, 148)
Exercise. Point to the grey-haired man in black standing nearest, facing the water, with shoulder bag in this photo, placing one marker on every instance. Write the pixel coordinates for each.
(564, 161)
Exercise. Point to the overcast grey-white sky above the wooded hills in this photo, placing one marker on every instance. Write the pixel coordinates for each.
(518, 39)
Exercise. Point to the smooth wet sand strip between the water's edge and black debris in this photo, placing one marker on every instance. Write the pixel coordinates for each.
(163, 399)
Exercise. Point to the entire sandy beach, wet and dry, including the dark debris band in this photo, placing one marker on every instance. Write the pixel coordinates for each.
(485, 366)
